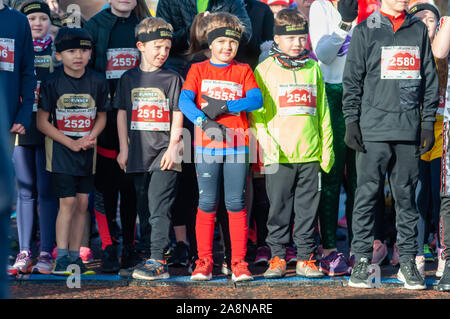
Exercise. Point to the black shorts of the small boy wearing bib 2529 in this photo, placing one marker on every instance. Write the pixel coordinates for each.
(69, 186)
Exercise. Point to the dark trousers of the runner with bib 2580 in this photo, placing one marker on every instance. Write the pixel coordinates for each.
(401, 161)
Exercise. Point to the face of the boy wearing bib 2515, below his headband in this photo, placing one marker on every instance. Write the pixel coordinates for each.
(156, 52)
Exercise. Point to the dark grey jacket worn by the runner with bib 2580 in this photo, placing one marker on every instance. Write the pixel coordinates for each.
(389, 109)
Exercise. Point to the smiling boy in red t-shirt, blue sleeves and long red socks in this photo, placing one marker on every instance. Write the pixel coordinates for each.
(215, 97)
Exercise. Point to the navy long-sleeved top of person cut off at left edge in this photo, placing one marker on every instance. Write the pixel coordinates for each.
(17, 76)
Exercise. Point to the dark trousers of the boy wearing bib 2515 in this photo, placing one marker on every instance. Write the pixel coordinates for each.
(156, 192)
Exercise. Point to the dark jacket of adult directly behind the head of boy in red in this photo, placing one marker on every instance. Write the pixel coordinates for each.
(181, 13)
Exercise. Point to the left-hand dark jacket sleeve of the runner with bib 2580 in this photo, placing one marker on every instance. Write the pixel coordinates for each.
(353, 78)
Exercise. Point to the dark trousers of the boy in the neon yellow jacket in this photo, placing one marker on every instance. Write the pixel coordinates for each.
(294, 188)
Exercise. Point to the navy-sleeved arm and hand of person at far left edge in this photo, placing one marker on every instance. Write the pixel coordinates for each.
(27, 84)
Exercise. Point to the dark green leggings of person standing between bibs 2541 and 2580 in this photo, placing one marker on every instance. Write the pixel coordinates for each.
(342, 172)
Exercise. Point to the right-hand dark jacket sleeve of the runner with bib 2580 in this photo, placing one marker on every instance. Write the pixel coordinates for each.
(431, 85)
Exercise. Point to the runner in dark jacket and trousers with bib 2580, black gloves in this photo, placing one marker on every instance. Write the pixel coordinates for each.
(390, 72)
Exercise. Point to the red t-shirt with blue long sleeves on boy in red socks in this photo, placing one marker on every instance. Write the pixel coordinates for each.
(232, 82)
